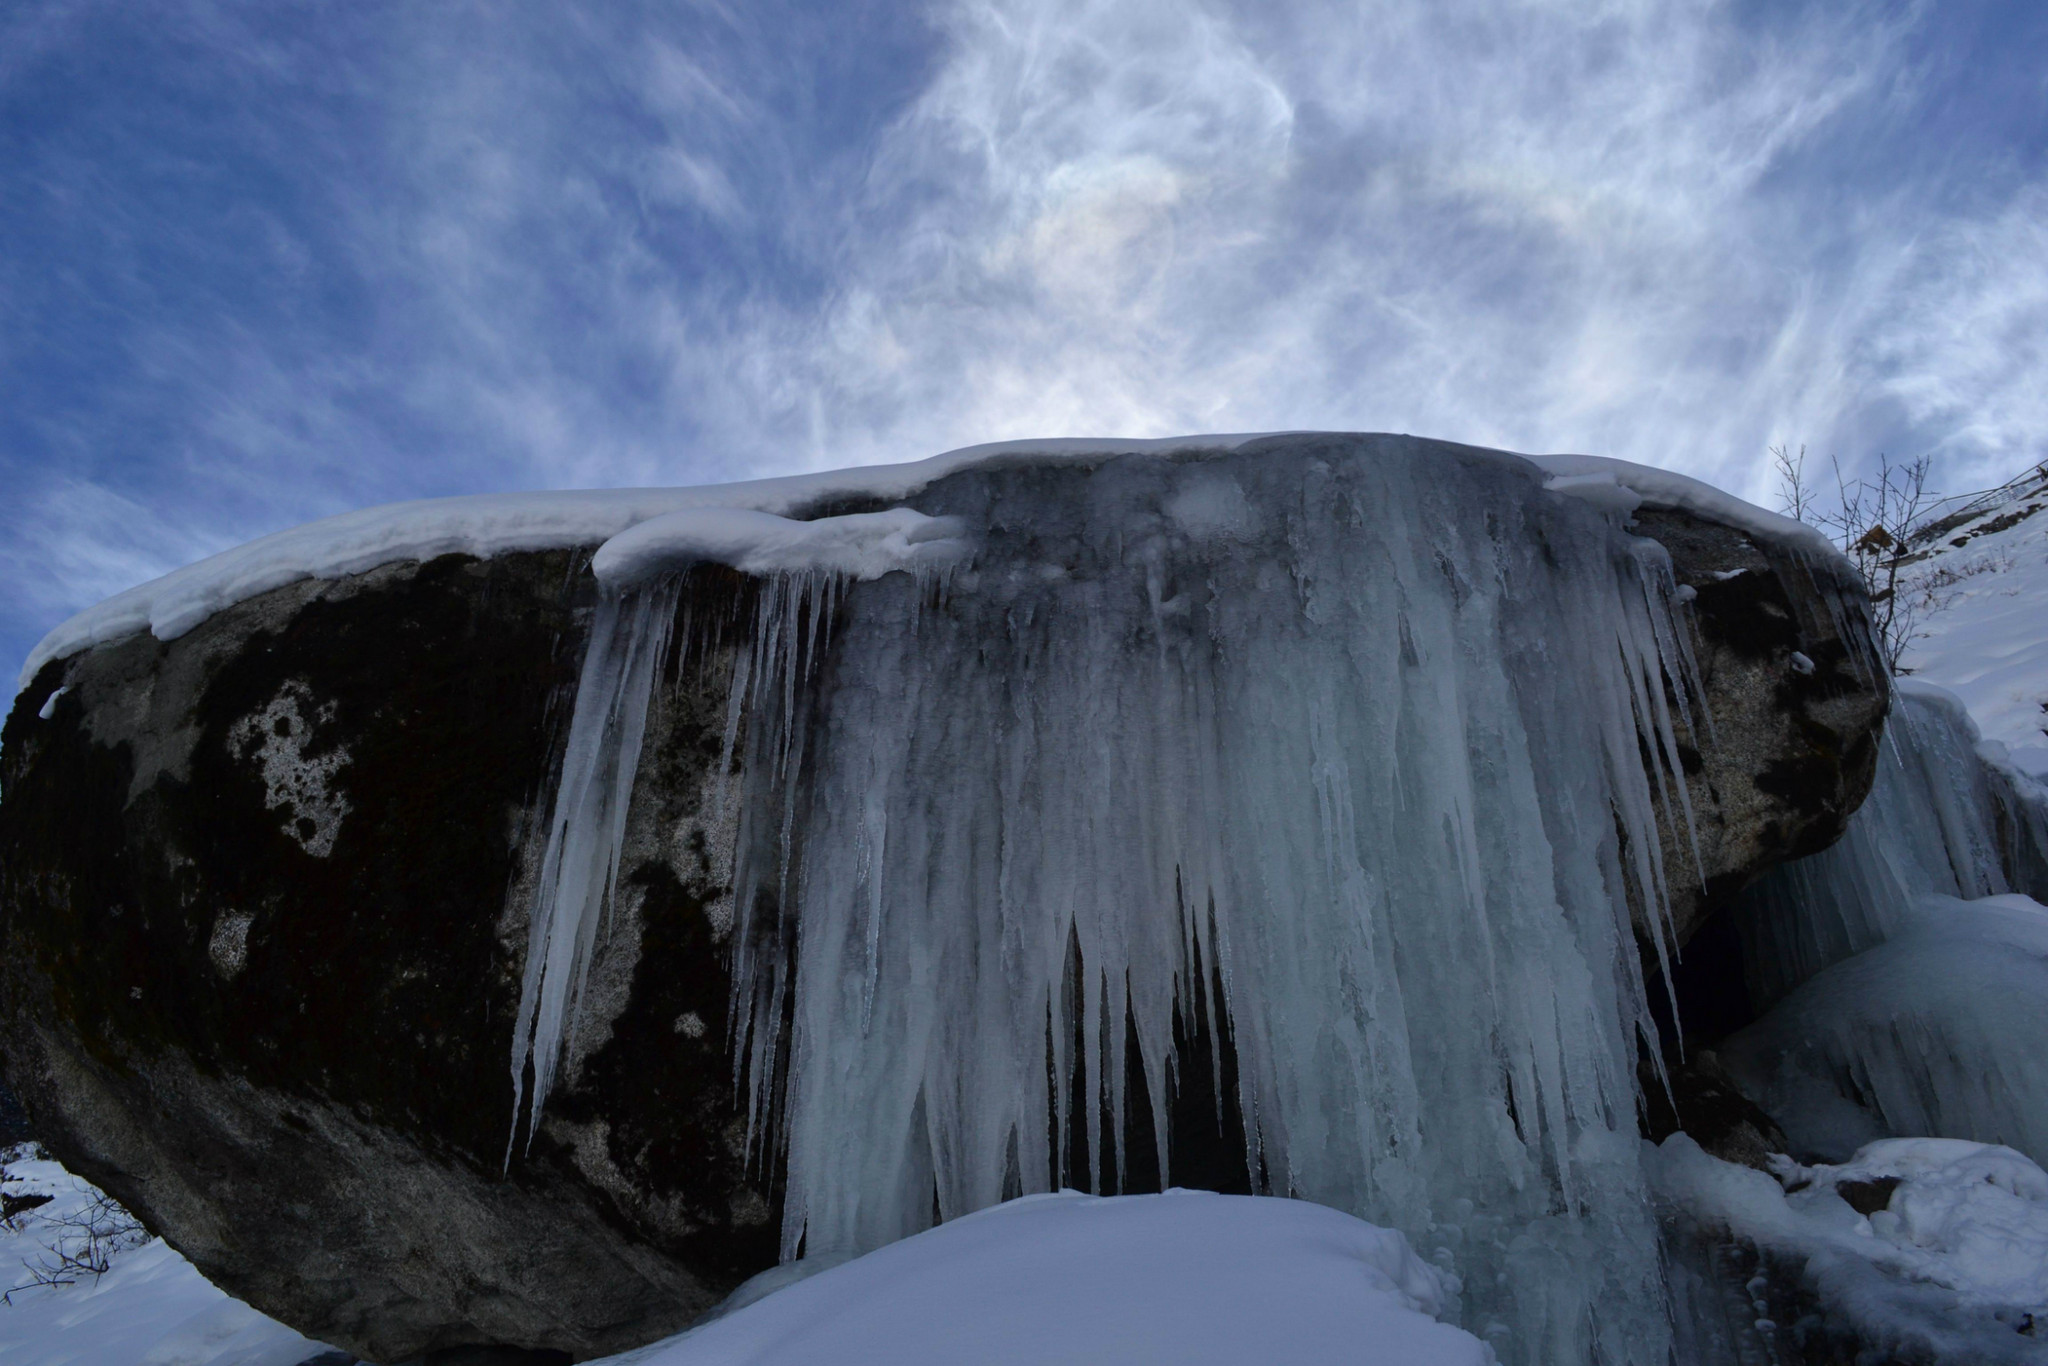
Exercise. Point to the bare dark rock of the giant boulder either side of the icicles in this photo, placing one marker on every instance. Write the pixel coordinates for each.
(263, 921)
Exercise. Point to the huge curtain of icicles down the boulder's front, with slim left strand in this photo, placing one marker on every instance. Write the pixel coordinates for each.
(1375, 734)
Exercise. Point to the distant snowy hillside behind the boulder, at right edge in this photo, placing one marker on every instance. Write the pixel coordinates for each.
(1986, 628)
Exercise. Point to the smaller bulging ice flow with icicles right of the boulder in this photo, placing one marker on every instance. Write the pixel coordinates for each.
(1908, 980)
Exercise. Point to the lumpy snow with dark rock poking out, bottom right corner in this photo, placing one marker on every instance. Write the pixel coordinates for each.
(1949, 1265)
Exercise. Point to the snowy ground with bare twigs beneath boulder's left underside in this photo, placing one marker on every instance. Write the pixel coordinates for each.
(153, 1308)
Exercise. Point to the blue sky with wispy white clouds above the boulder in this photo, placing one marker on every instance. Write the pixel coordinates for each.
(263, 263)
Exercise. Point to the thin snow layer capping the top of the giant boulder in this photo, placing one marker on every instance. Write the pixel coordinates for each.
(501, 523)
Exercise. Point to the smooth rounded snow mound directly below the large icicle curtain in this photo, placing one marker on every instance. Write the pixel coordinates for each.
(1185, 1279)
